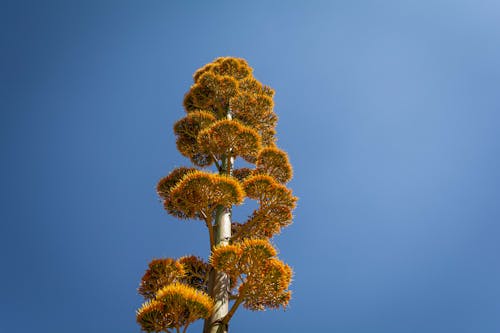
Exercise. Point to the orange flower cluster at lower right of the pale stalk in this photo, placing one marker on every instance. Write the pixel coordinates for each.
(260, 278)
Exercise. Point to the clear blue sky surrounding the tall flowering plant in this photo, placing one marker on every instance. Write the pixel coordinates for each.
(389, 110)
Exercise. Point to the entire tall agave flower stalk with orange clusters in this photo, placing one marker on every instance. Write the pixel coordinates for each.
(229, 121)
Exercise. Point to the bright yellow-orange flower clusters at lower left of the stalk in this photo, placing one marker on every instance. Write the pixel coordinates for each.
(175, 293)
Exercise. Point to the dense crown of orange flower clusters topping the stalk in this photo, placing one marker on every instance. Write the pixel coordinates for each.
(226, 85)
